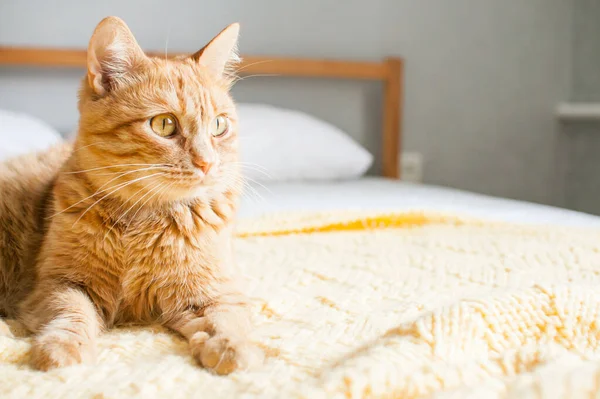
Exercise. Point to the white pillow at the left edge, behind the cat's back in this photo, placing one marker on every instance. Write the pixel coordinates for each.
(22, 133)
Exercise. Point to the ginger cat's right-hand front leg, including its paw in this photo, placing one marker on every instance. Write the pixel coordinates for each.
(218, 335)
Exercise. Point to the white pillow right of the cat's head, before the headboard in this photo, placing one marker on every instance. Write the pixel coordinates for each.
(290, 146)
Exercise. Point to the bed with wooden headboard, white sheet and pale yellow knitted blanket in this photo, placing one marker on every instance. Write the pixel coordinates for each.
(368, 286)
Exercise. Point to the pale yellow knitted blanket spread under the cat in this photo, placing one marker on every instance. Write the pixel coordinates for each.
(379, 306)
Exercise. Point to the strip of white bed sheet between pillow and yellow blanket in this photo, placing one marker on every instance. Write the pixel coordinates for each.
(376, 193)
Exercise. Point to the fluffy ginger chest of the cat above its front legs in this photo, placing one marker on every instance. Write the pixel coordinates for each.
(168, 263)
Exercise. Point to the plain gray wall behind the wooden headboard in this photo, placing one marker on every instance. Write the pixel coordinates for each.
(483, 76)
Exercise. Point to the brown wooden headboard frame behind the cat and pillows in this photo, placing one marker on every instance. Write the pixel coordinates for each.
(389, 72)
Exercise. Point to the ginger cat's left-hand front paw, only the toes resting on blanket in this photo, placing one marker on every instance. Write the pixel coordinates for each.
(54, 351)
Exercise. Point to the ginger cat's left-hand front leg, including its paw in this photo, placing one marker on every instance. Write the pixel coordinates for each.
(65, 323)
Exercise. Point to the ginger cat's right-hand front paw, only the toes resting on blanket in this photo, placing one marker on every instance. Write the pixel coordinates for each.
(224, 355)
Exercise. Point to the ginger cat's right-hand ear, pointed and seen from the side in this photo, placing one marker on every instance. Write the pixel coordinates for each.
(221, 52)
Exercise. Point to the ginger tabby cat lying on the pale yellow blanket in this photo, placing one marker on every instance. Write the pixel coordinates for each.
(133, 223)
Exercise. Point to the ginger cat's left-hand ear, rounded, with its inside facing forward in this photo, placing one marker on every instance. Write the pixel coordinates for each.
(113, 53)
